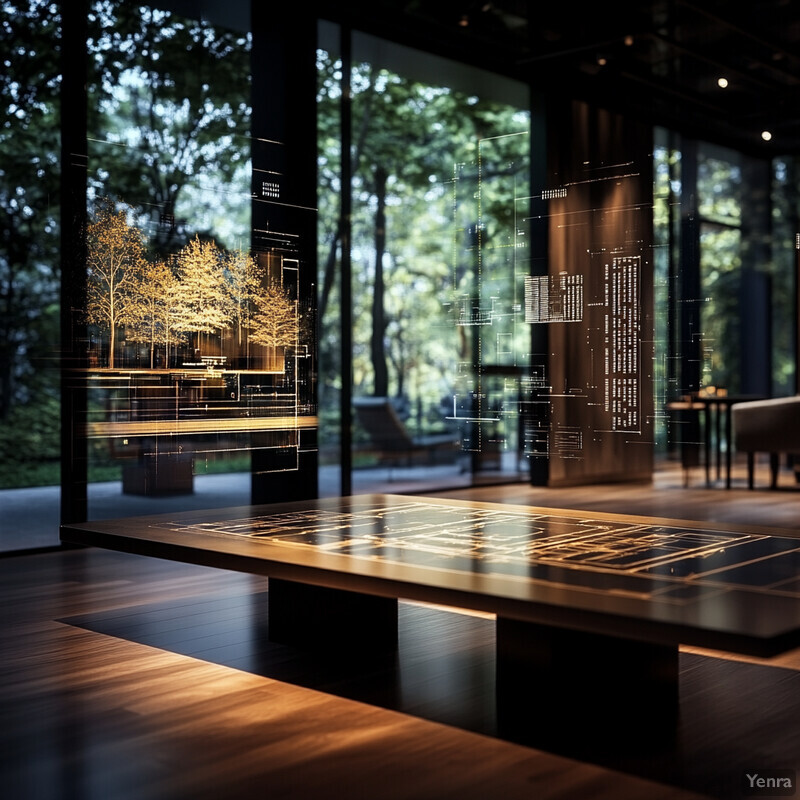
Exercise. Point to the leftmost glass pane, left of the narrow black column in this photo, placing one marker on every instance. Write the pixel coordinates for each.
(29, 275)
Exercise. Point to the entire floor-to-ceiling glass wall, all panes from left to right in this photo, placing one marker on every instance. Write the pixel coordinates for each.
(194, 316)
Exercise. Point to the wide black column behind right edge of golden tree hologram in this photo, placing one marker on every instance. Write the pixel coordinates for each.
(284, 135)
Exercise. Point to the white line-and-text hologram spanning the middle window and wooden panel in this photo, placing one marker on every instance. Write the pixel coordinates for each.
(552, 363)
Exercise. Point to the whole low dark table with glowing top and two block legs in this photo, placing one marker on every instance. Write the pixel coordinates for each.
(591, 608)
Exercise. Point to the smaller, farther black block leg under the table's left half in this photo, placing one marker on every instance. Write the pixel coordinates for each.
(315, 617)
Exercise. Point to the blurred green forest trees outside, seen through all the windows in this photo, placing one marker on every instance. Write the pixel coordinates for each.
(169, 139)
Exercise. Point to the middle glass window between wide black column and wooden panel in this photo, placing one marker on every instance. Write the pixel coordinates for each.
(440, 184)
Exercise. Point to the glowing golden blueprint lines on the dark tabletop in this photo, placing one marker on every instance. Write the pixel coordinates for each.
(671, 562)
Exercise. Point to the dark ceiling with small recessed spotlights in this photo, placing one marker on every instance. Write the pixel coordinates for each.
(660, 60)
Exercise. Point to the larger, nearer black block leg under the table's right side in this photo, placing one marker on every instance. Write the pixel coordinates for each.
(582, 691)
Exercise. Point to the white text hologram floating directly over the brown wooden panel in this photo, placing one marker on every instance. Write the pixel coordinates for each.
(590, 311)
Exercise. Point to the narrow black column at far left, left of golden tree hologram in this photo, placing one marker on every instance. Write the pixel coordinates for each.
(73, 260)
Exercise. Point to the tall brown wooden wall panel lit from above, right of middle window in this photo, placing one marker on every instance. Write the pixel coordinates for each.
(600, 232)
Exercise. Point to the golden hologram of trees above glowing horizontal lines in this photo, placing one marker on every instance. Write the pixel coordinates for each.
(191, 354)
